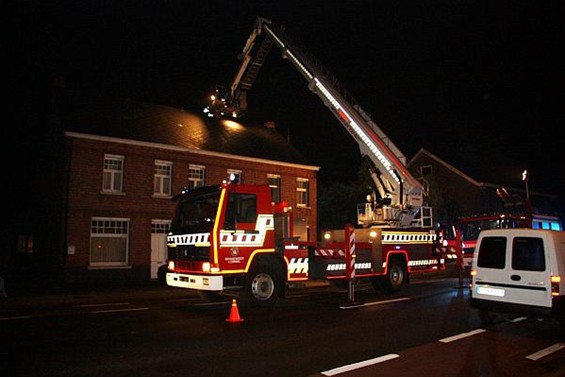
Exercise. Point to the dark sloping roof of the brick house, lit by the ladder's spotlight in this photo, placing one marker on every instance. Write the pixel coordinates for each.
(127, 119)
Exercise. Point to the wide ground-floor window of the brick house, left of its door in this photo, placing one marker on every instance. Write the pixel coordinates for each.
(109, 242)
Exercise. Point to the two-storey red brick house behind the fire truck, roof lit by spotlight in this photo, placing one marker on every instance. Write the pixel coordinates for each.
(117, 166)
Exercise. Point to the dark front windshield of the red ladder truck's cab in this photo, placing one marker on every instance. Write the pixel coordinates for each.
(196, 212)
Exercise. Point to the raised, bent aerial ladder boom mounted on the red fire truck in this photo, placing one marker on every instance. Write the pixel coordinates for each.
(398, 197)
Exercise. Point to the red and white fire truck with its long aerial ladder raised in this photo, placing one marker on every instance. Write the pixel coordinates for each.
(231, 239)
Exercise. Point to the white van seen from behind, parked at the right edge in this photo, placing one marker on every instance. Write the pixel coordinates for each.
(519, 271)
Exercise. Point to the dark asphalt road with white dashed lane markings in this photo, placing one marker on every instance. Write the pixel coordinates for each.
(426, 330)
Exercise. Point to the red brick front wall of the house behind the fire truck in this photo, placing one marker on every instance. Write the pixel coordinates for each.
(137, 203)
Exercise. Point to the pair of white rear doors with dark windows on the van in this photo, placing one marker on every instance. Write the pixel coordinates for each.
(512, 268)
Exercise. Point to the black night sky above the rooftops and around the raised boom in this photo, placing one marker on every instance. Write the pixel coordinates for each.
(475, 82)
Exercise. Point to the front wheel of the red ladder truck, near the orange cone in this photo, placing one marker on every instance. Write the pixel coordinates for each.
(263, 285)
